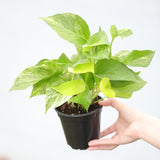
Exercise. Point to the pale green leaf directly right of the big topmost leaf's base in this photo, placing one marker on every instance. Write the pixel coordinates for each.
(99, 38)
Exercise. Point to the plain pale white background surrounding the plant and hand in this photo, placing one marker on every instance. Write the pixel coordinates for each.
(26, 133)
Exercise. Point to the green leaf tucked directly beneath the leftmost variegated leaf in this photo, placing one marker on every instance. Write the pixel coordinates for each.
(40, 87)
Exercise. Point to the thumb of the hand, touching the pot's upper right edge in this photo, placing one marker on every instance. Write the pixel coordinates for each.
(112, 102)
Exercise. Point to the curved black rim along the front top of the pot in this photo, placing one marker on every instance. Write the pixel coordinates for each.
(79, 115)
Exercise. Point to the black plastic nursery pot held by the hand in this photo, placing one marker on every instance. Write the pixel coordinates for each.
(80, 129)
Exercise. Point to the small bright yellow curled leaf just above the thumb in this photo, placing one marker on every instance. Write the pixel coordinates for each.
(105, 87)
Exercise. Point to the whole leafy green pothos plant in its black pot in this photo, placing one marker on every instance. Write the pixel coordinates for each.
(72, 85)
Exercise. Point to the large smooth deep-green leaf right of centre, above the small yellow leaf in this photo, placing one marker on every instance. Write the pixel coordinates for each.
(114, 70)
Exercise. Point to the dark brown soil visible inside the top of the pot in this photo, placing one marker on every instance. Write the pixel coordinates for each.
(77, 109)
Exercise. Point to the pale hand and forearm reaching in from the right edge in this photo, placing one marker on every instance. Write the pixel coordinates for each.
(130, 126)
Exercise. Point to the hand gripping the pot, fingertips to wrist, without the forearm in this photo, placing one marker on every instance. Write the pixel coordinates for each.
(126, 128)
